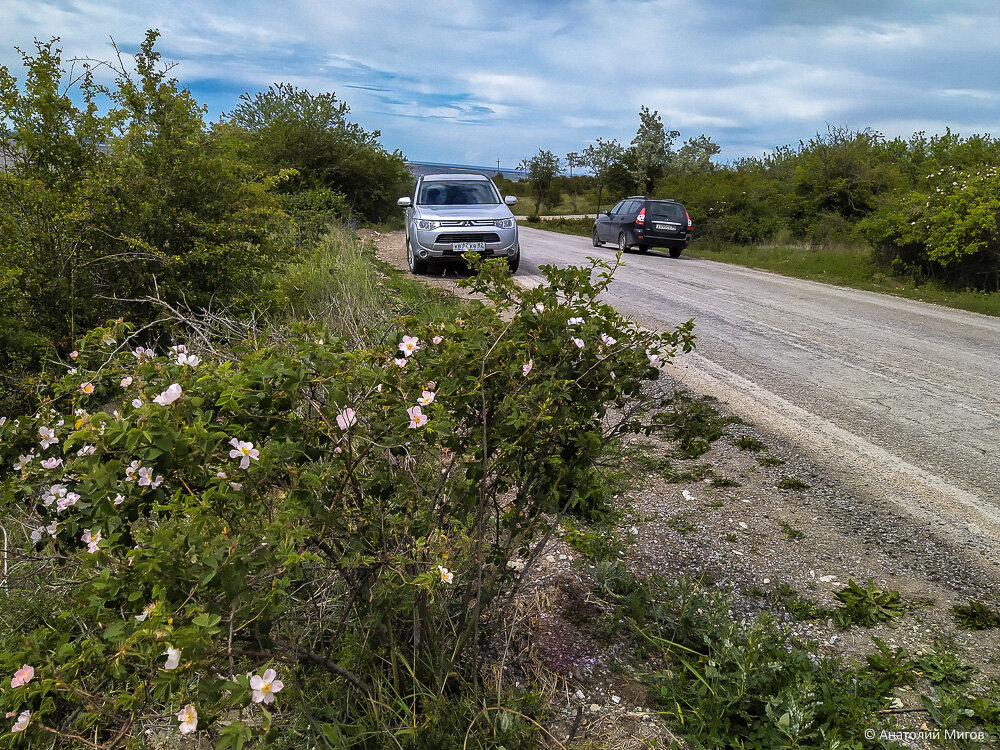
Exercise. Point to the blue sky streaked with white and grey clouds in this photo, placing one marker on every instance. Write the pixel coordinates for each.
(471, 81)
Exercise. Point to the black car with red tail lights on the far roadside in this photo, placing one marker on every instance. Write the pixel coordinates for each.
(643, 223)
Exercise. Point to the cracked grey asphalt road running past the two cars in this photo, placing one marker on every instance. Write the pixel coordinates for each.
(899, 397)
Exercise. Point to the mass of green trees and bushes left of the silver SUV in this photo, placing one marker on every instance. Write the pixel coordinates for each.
(111, 195)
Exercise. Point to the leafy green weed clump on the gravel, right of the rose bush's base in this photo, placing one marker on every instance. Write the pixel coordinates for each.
(741, 684)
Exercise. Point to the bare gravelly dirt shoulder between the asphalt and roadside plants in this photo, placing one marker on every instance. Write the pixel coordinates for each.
(751, 539)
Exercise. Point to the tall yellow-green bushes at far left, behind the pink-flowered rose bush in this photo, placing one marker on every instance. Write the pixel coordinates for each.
(102, 210)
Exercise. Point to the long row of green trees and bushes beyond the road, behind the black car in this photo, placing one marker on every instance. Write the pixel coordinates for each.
(928, 206)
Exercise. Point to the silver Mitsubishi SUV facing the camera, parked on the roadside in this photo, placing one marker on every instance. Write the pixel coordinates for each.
(451, 214)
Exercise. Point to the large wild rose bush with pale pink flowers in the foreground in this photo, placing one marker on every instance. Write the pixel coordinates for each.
(195, 536)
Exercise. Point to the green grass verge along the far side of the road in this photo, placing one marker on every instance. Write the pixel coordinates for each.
(849, 266)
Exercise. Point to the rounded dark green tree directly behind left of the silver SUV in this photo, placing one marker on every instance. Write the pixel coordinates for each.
(290, 128)
